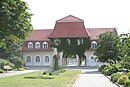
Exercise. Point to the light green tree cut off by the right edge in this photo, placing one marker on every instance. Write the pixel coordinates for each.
(124, 50)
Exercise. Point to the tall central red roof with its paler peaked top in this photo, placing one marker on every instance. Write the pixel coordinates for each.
(69, 27)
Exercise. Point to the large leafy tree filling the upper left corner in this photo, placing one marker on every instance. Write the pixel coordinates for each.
(15, 24)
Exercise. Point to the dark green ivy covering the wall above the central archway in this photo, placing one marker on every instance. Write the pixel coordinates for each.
(71, 46)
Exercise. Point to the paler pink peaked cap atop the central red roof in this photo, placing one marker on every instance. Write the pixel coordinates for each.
(70, 18)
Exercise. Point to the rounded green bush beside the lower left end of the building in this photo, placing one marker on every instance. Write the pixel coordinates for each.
(17, 61)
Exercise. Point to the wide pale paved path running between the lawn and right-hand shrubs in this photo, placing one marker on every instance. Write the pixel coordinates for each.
(92, 78)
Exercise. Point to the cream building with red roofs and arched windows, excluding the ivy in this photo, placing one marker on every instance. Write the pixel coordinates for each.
(37, 49)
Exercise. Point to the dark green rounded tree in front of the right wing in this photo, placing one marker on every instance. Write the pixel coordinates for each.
(107, 50)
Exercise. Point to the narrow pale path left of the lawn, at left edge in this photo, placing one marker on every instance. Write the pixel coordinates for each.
(12, 73)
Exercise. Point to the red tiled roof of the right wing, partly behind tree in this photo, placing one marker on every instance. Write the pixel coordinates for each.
(95, 32)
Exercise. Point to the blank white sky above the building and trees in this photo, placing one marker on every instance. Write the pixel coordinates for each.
(95, 13)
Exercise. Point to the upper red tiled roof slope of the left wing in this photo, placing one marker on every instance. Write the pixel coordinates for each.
(39, 35)
